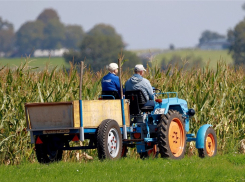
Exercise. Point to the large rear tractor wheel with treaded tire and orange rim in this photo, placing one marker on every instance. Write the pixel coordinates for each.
(171, 135)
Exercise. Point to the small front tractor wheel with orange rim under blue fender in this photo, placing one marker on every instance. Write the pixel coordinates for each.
(210, 144)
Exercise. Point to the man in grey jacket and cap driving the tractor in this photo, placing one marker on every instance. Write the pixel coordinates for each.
(137, 82)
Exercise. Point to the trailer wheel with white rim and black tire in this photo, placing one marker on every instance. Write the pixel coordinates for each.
(109, 140)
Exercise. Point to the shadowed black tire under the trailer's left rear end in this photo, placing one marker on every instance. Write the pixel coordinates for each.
(47, 152)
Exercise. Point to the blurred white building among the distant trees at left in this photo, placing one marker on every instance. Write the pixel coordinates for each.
(49, 53)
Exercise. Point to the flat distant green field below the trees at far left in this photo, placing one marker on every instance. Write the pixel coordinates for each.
(41, 63)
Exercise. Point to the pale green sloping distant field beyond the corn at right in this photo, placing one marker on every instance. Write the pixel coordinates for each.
(211, 56)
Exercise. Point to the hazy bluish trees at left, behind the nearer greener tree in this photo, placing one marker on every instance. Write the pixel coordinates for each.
(46, 32)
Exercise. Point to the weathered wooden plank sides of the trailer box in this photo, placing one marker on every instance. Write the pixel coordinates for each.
(67, 114)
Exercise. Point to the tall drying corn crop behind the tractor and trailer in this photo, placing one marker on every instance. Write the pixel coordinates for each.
(218, 98)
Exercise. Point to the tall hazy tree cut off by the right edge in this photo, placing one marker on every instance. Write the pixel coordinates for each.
(237, 39)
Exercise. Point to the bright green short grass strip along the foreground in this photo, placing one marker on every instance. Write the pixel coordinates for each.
(219, 168)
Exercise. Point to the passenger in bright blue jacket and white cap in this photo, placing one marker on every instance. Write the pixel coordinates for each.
(110, 82)
